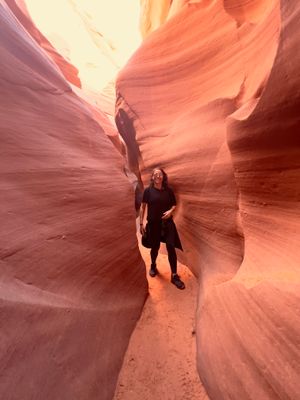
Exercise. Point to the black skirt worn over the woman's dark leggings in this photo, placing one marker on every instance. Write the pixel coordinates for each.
(161, 231)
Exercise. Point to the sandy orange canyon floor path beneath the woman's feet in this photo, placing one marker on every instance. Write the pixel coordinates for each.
(160, 362)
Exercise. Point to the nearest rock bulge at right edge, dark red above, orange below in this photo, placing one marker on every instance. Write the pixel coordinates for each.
(263, 342)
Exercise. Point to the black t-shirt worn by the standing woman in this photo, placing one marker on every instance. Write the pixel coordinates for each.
(158, 202)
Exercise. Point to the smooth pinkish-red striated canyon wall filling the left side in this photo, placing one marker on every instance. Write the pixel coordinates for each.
(72, 281)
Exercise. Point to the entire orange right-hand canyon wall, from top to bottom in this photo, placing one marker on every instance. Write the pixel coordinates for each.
(212, 96)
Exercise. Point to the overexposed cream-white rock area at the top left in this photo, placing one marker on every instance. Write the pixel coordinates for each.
(95, 39)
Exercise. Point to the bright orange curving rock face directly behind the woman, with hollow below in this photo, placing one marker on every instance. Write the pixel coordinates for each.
(178, 120)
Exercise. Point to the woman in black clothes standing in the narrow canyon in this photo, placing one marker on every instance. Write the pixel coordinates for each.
(161, 203)
